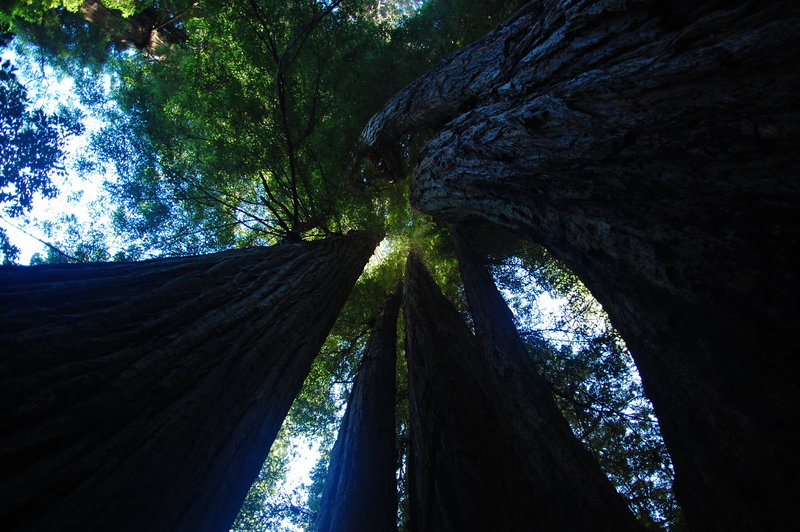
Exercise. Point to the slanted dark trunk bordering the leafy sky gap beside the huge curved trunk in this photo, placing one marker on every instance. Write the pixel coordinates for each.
(545, 457)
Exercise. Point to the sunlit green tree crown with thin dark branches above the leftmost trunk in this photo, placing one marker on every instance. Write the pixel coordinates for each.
(251, 124)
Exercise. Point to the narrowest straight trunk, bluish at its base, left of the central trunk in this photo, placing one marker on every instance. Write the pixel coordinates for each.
(361, 488)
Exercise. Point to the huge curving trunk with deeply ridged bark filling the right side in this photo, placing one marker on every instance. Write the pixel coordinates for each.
(653, 148)
